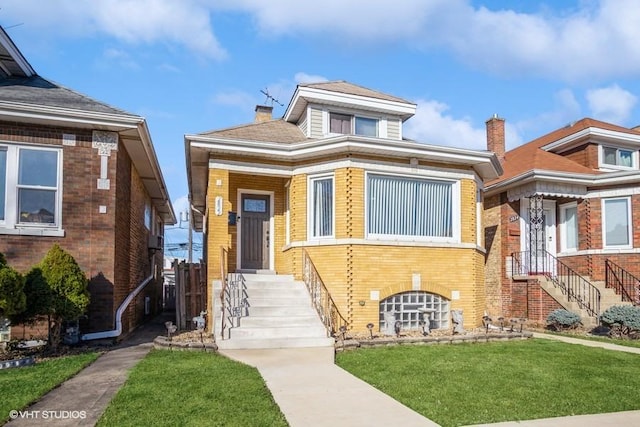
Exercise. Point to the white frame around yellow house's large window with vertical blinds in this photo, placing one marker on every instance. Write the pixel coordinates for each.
(456, 213)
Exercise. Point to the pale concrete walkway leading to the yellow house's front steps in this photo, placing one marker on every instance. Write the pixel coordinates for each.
(312, 391)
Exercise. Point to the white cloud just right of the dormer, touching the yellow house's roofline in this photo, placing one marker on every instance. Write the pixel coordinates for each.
(431, 125)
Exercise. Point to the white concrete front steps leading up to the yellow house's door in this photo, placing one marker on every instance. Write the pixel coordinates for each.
(280, 315)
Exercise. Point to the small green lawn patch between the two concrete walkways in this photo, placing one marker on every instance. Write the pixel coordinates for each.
(183, 388)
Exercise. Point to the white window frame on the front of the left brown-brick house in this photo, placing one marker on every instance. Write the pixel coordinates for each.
(10, 224)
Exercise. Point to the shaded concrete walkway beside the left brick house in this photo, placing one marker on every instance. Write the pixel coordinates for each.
(81, 400)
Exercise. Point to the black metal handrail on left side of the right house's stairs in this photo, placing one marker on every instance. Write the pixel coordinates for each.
(563, 277)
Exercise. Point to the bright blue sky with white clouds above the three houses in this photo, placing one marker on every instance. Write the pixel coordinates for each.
(189, 66)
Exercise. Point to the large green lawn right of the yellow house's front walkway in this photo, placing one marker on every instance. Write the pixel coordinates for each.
(503, 381)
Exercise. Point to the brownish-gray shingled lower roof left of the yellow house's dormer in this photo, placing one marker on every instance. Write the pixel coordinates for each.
(271, 131)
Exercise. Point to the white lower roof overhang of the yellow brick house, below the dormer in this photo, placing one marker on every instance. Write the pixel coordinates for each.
(199, 149)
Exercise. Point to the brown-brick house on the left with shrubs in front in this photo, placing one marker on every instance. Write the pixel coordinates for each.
(84, 175)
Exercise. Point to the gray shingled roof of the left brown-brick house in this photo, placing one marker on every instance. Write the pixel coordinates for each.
(38, 91)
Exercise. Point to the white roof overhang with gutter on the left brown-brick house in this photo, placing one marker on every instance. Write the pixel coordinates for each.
(133, 133)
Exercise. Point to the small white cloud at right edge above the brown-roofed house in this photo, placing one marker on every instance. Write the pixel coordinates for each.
(611, 104)
